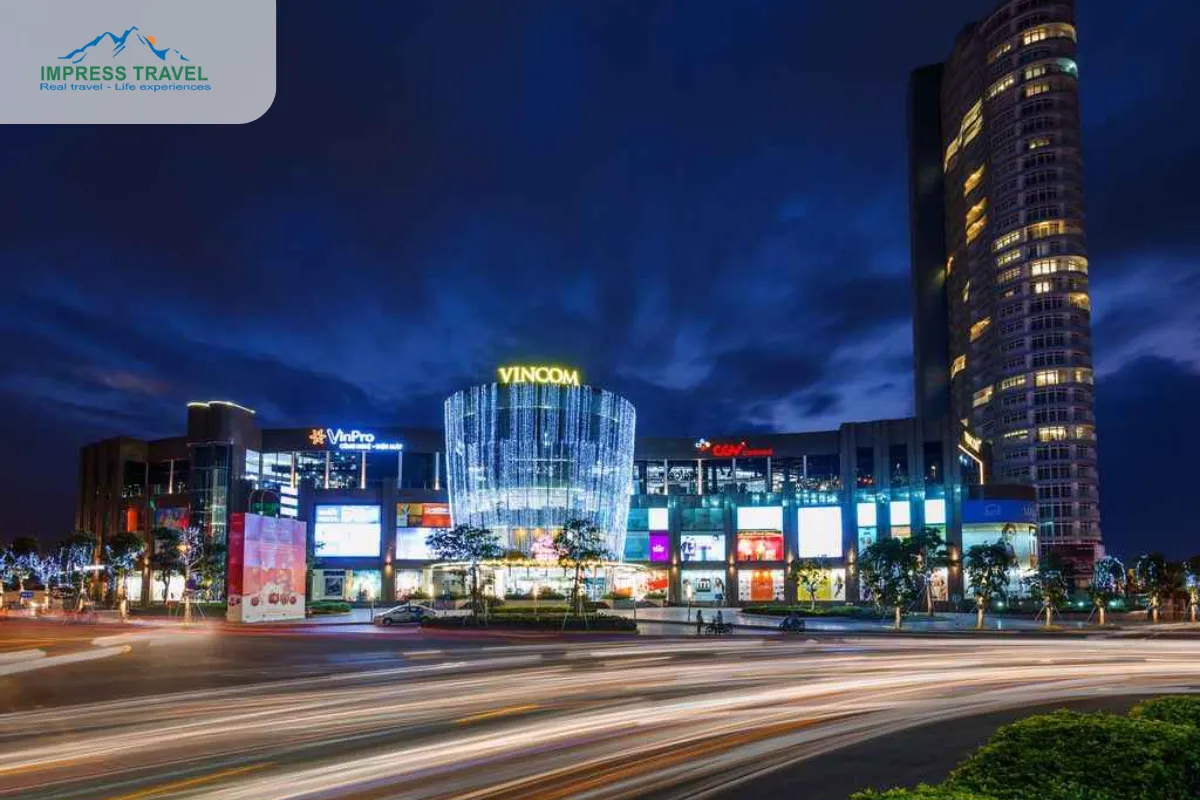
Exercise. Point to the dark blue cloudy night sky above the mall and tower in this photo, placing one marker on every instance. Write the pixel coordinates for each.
(703, 206)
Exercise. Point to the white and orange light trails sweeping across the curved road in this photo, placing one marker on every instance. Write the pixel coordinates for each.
(674, 719)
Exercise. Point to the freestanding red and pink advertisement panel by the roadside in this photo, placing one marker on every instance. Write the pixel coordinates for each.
(267, 560)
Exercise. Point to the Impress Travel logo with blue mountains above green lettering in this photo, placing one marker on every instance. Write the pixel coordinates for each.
(131, 62)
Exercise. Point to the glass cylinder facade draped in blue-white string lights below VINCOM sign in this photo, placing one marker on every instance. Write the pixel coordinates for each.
(526, 458)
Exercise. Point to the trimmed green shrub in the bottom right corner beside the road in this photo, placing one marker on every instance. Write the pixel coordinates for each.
(1067, 756)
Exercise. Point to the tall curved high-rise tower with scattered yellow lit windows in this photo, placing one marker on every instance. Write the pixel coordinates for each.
(997, 173)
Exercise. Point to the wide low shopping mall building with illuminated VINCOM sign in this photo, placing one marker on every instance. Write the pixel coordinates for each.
(712, 520)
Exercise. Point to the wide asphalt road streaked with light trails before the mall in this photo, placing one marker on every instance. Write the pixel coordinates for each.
(400, 713)
